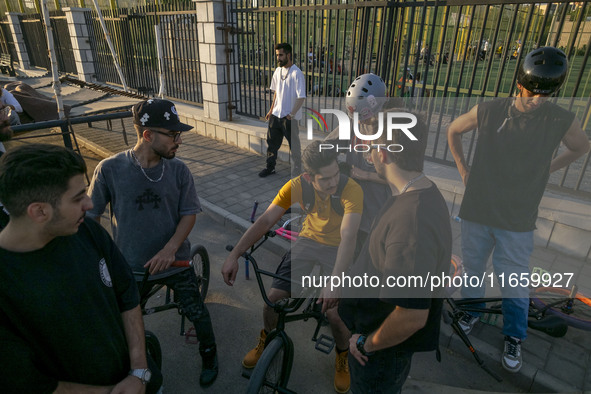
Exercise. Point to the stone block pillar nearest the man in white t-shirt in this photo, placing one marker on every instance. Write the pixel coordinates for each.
(213, 61)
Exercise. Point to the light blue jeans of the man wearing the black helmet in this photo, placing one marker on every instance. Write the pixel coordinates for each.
(510, 256)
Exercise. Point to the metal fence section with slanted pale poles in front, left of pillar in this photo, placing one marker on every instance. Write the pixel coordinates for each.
(133, 35)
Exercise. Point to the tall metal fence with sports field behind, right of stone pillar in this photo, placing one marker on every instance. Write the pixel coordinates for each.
(436, 49)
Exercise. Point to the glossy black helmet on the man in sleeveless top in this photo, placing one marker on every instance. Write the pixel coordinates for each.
(543, 70)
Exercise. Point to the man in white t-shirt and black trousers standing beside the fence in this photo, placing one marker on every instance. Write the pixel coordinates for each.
(289, 86)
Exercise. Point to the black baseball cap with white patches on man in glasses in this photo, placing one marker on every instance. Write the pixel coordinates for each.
(158, 113)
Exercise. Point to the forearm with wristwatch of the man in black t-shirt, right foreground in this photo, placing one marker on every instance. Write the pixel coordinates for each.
(400, 325)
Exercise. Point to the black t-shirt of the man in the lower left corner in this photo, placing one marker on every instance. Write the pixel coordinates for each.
(60, 313)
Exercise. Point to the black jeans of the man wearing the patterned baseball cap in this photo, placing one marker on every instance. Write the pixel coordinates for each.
(186, 292)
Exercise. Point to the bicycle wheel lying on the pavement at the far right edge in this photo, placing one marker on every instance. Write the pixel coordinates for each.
(554, 299)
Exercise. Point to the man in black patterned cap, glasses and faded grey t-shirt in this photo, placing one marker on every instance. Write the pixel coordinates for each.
(148, 188)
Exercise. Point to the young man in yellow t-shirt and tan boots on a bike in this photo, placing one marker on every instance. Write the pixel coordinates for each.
(327, 238)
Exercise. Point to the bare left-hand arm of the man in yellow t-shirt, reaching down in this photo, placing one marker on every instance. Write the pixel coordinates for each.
(253, 234)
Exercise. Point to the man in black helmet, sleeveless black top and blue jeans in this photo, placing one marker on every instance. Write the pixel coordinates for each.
(505, 184)
